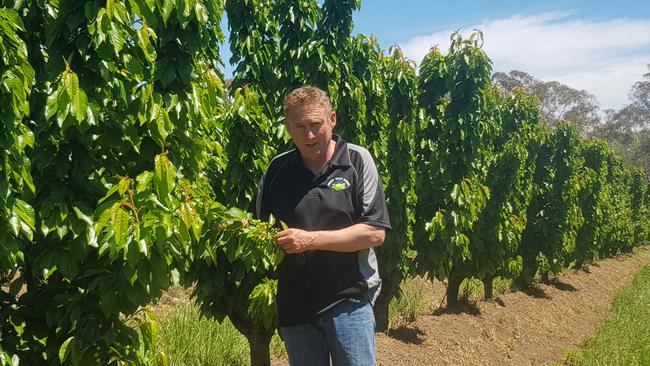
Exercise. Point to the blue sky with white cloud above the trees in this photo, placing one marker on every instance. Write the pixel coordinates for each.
(602, 47)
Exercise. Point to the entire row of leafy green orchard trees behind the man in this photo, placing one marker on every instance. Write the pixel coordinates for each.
(125, 154)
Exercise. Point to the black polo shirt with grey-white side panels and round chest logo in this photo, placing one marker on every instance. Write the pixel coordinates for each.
(347, 191)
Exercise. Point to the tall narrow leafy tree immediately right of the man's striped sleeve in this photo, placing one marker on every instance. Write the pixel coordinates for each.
(400, 83)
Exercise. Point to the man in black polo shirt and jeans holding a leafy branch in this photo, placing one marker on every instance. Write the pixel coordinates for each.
(329, 194)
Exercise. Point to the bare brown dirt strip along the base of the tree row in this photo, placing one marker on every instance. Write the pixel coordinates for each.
(517, 328)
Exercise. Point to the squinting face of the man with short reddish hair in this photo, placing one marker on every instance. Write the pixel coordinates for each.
(310, 128)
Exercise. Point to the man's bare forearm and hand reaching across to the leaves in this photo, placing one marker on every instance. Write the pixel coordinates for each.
(349, 239)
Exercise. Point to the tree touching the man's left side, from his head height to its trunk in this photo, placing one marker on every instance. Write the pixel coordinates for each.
(235, 263)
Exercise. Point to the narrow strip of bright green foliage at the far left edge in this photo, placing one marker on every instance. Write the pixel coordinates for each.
(17, 221)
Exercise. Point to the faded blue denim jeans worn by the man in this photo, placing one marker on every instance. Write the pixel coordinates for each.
(345, 332)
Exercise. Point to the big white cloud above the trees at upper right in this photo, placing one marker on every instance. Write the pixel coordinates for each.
(602, 57)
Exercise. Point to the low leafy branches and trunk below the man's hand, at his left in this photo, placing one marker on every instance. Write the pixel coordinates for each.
(234, 274)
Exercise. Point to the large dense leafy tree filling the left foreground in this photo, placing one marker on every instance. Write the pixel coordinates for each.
(114, 125)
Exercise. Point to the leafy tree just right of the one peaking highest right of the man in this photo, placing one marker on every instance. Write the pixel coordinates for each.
(497, 233)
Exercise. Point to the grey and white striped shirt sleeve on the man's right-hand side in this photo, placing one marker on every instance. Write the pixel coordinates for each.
(371, 194)
